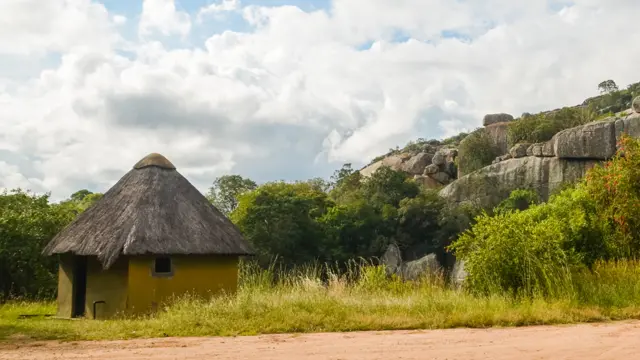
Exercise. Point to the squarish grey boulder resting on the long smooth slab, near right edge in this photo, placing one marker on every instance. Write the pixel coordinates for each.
(596, 140)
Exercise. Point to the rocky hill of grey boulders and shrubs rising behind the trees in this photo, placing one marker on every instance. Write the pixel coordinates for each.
(563, 157)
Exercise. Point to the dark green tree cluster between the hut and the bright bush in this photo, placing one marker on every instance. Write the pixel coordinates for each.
(358, 218)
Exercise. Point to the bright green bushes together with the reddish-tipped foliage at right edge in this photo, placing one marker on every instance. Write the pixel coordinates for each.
(535, 250)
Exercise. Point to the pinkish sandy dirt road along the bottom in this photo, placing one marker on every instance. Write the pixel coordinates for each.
(619, 340)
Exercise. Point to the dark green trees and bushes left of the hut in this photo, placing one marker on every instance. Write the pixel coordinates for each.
(27, 223)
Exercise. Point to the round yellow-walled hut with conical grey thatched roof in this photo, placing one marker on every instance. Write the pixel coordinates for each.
(153, 235)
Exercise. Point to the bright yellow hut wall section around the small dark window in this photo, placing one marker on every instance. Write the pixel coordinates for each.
(203, 276)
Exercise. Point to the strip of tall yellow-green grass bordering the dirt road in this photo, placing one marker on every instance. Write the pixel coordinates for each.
(300, 302)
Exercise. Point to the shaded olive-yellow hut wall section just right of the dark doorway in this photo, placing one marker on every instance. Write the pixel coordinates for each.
(109, 286)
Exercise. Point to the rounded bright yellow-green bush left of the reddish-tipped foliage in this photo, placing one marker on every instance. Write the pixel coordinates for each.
(522, 252)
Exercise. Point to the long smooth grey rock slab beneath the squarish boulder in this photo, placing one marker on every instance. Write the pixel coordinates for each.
(490, 185)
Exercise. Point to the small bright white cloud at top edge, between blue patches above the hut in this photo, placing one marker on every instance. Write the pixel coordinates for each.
(163, 17)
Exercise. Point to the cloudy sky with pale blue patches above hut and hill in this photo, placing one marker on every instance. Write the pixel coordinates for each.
(281, 89)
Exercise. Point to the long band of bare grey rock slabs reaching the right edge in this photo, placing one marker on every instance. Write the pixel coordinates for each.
(544, 166)
